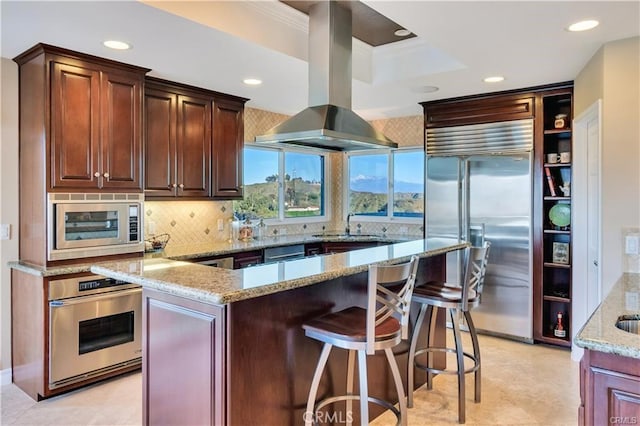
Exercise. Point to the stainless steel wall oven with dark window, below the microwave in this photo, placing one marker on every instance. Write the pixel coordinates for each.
(94, 328)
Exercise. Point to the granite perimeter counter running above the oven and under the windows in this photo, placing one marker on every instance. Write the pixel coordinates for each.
(201, 250)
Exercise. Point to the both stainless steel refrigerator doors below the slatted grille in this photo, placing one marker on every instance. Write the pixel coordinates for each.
(466, 195)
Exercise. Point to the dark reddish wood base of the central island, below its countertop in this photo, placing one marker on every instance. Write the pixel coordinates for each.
(249, 362)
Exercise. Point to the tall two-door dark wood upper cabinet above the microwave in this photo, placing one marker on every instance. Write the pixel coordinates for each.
(95, 137)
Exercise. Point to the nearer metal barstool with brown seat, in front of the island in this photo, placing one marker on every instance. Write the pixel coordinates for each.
(365, 330)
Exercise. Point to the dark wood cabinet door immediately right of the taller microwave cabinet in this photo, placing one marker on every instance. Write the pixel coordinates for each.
(160, 143)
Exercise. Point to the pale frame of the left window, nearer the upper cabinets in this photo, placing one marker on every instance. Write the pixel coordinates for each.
(326, 200)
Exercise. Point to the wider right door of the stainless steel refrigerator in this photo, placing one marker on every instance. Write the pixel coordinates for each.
(500, 199)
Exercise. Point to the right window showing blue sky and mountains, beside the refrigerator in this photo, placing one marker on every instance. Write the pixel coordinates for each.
(371, 189)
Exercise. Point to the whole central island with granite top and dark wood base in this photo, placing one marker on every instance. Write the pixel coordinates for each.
(227, 347)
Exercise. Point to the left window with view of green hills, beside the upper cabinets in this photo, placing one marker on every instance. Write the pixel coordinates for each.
(281, 184)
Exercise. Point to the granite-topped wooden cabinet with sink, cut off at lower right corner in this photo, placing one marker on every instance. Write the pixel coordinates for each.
(610, 366)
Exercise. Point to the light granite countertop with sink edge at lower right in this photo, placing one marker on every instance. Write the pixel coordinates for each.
(600, 333)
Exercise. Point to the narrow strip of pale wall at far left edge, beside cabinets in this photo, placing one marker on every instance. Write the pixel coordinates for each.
(8, 198)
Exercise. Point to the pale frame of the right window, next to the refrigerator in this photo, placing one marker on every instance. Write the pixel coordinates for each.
(389, 217)
